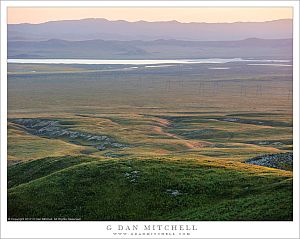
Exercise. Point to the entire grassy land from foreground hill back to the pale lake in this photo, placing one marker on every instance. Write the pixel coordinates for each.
(155, 142)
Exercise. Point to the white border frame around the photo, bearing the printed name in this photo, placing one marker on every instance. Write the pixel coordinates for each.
(98, 229)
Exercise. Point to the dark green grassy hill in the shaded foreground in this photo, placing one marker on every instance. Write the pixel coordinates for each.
(98, 189)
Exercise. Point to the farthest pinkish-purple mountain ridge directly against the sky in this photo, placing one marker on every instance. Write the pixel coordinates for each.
(100, 28)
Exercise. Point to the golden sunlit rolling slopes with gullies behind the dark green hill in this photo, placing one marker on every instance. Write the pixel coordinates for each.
(213, 135)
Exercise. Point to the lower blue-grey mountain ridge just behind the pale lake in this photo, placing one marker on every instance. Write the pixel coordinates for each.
(157, 49)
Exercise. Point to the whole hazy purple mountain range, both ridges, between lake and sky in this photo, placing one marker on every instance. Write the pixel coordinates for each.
(103, 39)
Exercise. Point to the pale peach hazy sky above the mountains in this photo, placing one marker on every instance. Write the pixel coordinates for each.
(200, 14)
